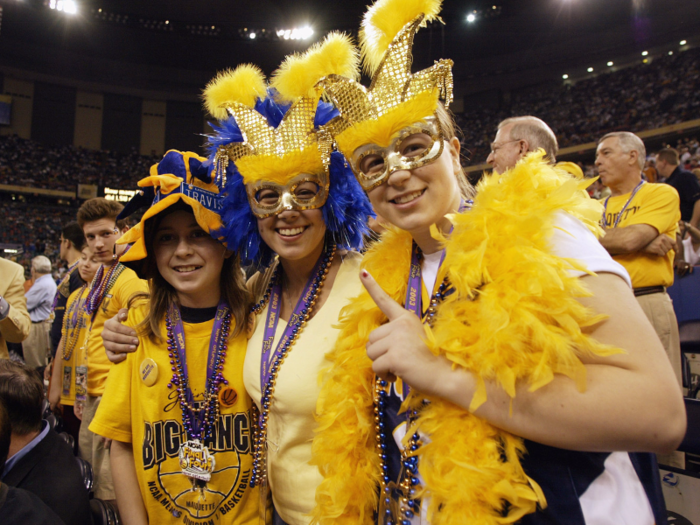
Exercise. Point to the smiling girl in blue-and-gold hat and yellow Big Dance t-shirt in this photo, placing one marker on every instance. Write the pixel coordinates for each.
(176, 409)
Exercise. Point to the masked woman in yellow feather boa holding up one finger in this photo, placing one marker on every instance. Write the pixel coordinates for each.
(497, 355)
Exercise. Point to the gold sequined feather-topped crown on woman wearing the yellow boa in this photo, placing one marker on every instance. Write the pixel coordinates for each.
(395, 95)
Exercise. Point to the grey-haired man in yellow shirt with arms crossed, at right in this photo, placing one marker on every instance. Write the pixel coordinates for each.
(641, 222)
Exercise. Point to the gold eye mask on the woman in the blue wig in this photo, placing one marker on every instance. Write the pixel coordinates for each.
(303, 192)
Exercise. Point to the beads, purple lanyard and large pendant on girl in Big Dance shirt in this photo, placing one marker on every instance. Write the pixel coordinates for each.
(195, 460)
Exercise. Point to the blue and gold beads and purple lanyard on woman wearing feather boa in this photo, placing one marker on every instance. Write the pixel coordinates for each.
(408, 504)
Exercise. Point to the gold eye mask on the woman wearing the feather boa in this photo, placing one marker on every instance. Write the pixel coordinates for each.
(414, 146)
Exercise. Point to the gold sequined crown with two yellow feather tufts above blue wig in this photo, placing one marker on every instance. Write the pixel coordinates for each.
(279, 153)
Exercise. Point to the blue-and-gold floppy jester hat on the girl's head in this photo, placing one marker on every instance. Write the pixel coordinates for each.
(180, 177)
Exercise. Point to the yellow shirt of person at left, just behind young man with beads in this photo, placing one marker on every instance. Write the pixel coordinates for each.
(73, 333)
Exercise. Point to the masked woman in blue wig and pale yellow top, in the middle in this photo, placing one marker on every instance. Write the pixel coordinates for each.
(295, 212)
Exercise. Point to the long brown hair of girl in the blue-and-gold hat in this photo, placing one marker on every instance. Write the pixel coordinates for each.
(162, 294)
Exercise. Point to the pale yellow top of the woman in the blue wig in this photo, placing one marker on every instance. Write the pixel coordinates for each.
(291, 422)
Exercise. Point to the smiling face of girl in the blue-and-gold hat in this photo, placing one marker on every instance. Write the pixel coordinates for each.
(189, 259)
